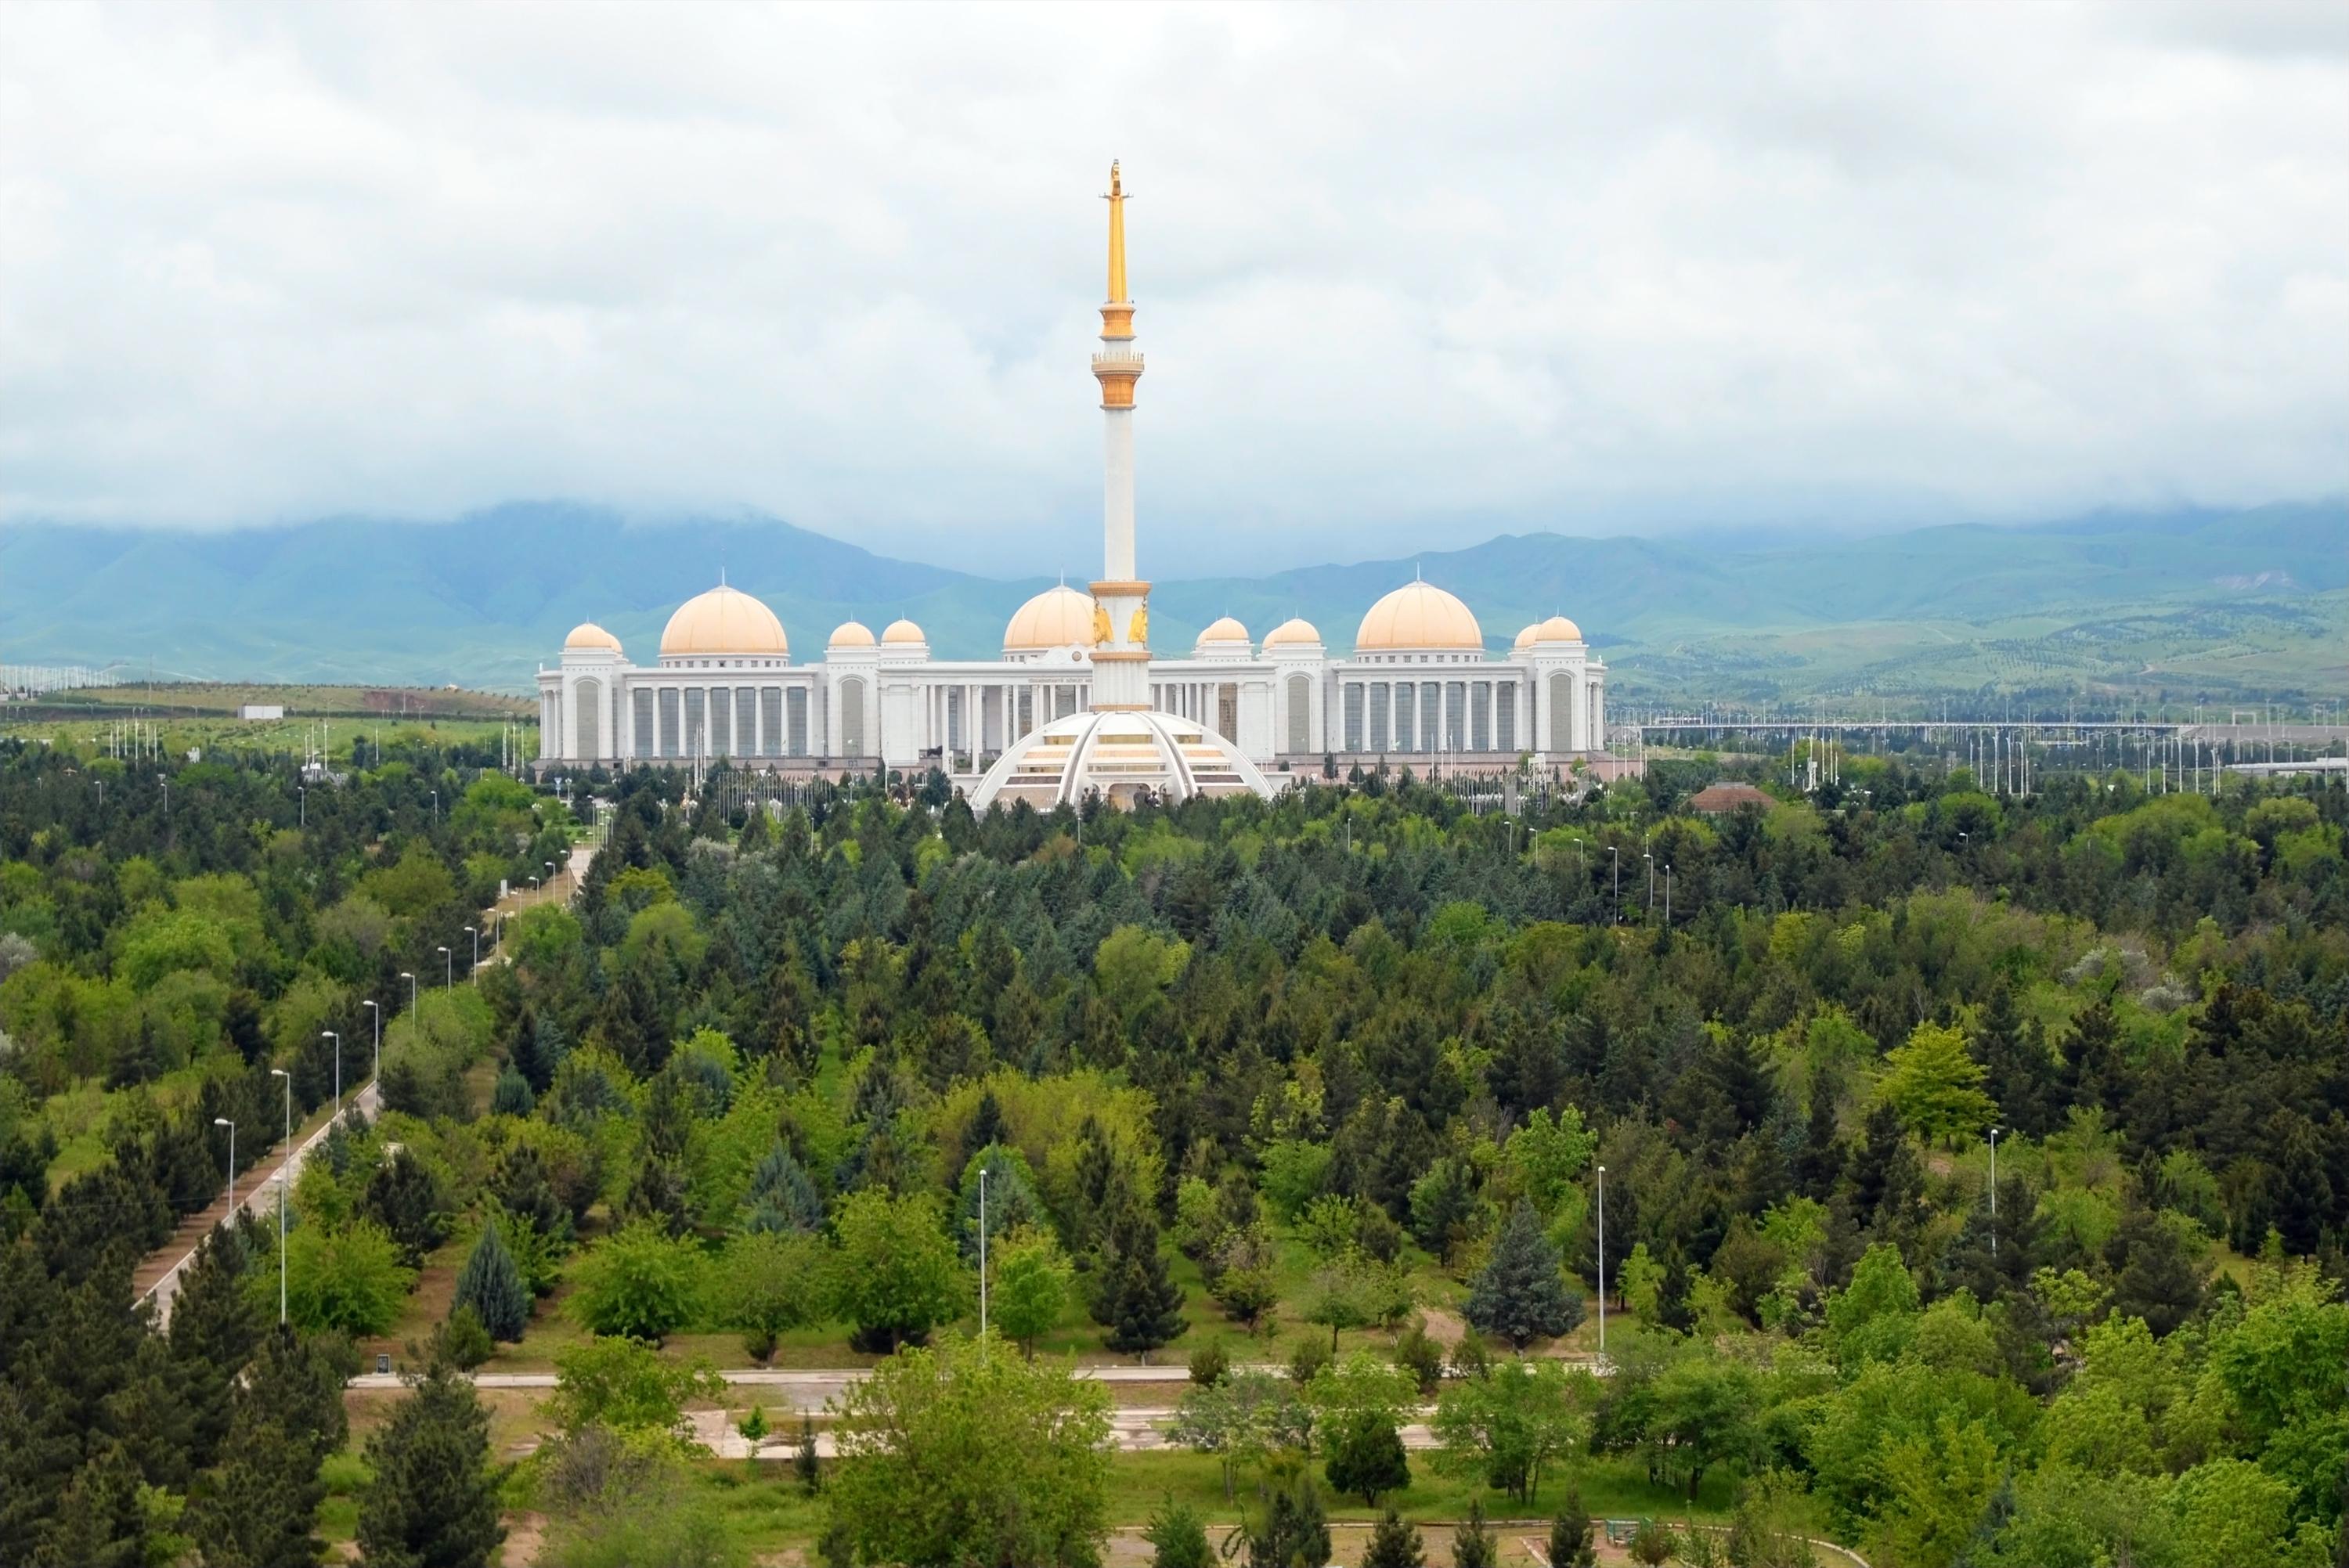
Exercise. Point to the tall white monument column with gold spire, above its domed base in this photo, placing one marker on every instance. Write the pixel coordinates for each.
(1122, 616)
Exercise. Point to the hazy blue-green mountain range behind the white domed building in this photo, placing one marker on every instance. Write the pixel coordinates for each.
(487, 597)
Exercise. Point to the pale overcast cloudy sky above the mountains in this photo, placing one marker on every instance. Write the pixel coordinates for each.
(1406, 278)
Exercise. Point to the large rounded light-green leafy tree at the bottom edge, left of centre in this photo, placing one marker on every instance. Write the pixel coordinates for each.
(960, 1457)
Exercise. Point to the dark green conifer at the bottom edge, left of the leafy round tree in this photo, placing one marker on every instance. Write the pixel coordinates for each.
(433, 1501)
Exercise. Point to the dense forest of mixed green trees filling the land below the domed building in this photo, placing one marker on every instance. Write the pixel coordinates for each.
(1321, 1097)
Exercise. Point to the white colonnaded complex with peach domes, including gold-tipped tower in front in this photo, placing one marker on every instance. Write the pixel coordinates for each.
(1415, 689)
